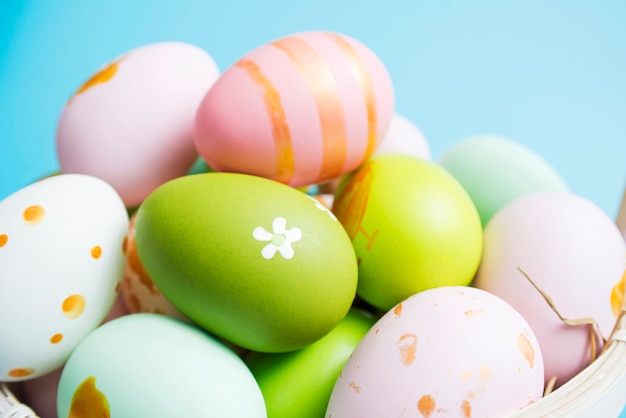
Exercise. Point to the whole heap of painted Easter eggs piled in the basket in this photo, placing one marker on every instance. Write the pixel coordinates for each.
(275, 241)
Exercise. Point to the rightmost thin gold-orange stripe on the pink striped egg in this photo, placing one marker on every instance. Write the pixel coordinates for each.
(367, 87)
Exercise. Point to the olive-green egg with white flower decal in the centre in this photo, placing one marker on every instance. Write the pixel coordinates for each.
(251, 260)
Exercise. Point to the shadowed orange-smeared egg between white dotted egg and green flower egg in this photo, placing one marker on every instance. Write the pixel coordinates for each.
(138, 291)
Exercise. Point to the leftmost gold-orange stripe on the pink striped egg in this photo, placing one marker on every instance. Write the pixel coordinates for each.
(285, 164)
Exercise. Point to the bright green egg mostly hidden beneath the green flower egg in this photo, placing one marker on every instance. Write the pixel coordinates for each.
(299, 383)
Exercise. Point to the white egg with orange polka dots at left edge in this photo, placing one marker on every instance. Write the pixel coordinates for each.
(62, 256)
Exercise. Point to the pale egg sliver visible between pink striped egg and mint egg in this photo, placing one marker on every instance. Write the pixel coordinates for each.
(405, 137)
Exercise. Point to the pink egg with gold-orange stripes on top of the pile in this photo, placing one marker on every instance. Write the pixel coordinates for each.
(300, 110)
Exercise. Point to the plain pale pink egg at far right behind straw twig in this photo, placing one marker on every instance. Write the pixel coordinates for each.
(574, 254)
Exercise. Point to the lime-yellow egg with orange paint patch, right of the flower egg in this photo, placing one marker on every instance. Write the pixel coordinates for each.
(412, 225)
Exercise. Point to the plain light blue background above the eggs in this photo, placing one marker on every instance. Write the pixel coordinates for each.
(550, 74)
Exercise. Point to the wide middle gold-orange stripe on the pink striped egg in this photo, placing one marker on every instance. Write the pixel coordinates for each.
(322, 85)
